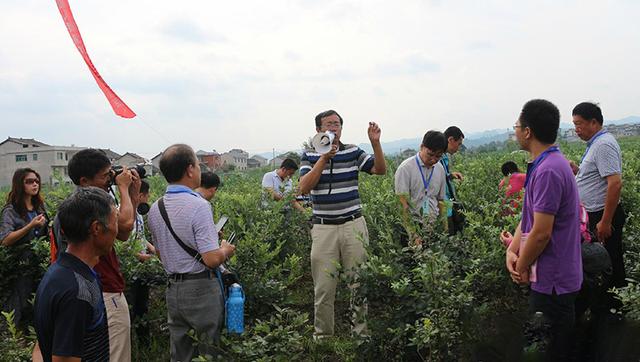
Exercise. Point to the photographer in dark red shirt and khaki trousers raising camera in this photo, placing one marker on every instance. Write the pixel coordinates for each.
(91, 167)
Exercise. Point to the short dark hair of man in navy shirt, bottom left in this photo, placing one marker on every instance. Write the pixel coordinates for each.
(80, 209)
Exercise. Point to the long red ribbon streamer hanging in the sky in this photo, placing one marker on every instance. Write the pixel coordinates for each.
(117, 104)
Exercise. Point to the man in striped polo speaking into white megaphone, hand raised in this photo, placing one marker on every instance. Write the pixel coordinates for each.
(329, 171)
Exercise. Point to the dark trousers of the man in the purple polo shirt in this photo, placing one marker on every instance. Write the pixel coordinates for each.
(558, 313)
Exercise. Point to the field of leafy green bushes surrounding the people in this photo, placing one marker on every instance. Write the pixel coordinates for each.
(450, 300)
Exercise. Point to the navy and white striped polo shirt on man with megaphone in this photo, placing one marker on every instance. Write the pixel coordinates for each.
(336, 194)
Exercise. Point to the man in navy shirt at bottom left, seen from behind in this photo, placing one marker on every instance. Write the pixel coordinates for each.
(70, 315)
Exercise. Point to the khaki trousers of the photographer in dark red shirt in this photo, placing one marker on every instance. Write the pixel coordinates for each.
(119, 326)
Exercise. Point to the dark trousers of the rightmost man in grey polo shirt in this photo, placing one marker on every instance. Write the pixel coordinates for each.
(613, 244)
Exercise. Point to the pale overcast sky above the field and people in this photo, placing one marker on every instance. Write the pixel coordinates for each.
(253, 74)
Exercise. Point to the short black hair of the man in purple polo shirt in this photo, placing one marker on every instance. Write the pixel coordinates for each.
(543, 118)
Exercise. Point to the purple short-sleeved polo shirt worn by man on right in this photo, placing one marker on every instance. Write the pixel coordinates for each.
(552, 190)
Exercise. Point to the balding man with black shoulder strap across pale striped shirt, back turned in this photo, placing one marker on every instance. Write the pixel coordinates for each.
(182, 228)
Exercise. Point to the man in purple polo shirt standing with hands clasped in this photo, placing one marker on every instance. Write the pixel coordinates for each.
(545, 251)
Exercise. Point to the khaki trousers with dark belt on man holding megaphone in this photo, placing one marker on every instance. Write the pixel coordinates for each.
(333, 245)
